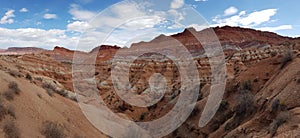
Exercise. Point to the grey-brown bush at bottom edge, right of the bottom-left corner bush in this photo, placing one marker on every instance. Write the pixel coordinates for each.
(52, 130)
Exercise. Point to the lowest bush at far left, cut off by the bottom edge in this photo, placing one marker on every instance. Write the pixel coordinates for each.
(11, 130)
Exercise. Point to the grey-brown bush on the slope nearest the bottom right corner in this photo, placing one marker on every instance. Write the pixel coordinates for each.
(281, 118)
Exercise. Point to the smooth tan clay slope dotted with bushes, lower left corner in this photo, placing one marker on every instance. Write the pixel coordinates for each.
(31, 111)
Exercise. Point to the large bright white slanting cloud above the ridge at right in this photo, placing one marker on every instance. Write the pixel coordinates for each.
(246, 20)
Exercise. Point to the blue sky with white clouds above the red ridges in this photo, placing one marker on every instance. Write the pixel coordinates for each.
(45, 24)
